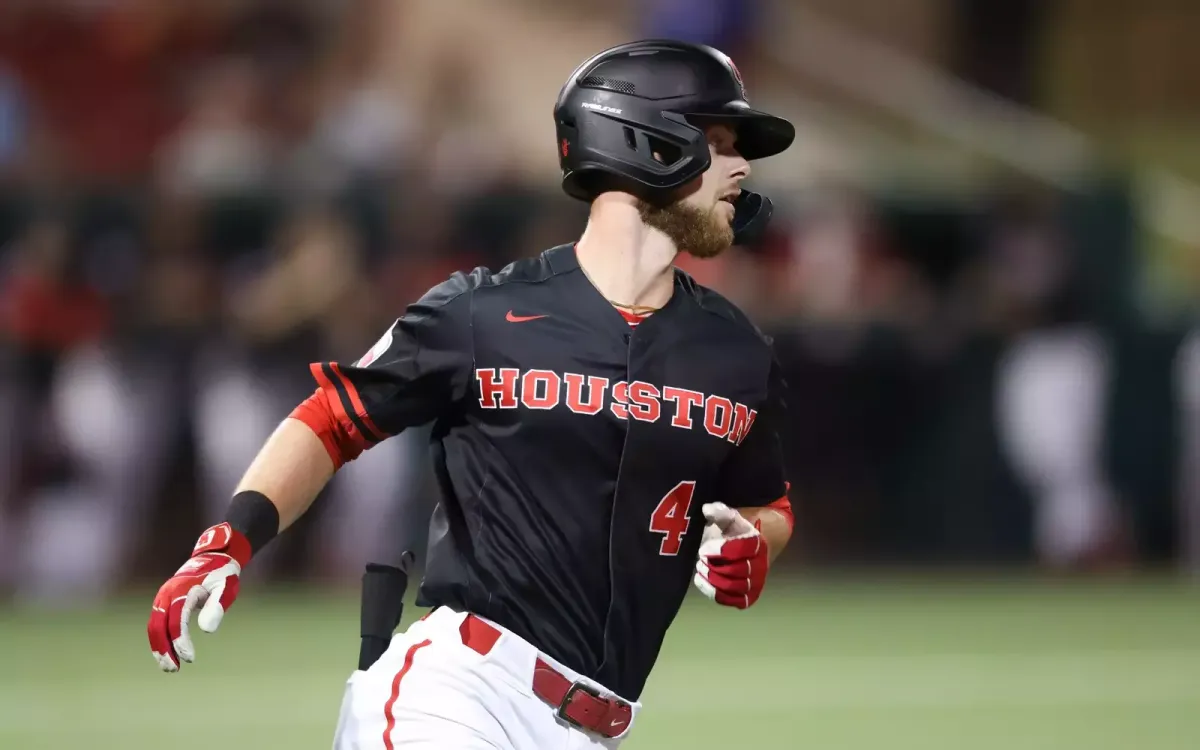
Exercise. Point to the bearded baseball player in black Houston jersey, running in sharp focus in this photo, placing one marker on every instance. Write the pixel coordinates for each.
(605, 434)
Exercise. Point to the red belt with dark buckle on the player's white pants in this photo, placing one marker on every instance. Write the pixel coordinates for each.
(577, 704)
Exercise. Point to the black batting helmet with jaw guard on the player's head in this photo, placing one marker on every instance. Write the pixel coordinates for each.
(633, 101)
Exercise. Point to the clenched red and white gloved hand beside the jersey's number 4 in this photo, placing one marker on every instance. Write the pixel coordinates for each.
(734, 562)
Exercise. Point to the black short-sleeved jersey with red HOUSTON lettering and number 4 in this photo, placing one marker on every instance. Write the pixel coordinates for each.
(573, 452)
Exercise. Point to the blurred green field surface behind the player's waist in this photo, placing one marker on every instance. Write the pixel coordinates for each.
(979, 664)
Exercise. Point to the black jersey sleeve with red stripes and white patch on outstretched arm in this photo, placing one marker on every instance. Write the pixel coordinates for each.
(417, 371)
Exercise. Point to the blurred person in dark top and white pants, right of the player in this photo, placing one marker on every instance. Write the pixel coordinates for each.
(1053, 387)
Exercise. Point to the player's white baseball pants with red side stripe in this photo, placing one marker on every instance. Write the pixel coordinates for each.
(430, 691)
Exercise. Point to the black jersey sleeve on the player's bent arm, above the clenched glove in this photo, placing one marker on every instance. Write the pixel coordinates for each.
(754, 475)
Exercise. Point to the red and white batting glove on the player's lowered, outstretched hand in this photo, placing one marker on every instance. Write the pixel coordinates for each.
(208, 580)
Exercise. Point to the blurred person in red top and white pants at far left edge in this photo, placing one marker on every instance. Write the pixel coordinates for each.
(53, 315)
